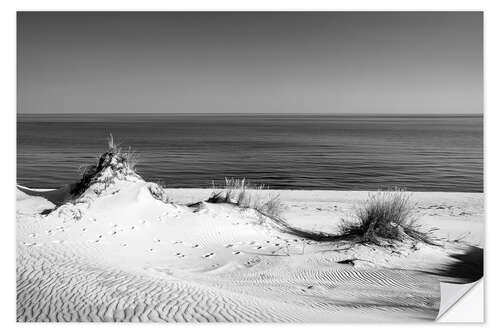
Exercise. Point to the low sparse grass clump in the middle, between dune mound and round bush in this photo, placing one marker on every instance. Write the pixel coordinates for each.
(241, 193)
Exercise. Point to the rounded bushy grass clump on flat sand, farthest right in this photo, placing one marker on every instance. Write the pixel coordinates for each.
(386, 216)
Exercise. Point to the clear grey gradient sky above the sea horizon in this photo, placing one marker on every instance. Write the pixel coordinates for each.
(250, 62)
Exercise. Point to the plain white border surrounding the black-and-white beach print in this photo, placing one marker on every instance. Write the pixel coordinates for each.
(8, 132)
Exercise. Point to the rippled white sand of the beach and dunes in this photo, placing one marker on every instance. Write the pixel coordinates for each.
(125, 256)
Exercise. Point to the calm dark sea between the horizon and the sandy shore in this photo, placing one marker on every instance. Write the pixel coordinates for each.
(282, 151)
